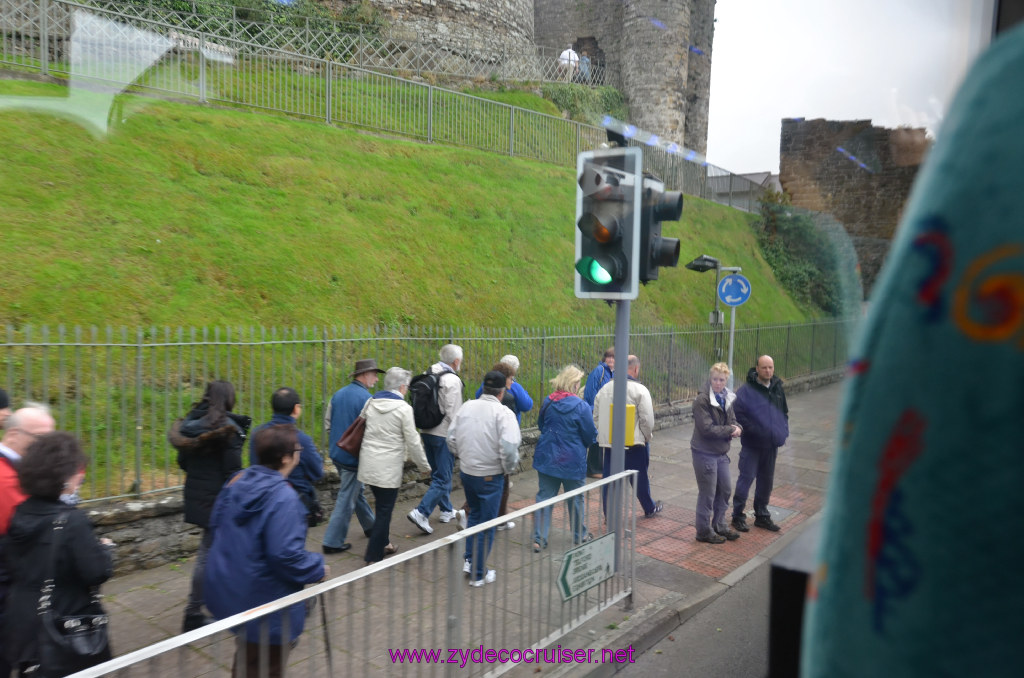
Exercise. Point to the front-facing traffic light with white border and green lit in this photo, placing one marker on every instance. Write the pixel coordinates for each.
(608, 222)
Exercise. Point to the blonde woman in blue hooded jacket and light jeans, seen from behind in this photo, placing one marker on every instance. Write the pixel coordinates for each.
(567, 425)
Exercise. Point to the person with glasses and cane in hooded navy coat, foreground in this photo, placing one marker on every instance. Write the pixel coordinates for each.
(259, 553)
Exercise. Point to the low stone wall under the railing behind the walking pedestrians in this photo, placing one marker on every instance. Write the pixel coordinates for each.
(151, 532)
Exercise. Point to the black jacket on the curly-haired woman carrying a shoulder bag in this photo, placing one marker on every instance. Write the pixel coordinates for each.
(82, 563)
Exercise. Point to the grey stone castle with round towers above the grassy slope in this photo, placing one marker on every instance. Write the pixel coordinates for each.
(657, 53)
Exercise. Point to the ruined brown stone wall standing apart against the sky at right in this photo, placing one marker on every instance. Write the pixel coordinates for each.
(859, 174)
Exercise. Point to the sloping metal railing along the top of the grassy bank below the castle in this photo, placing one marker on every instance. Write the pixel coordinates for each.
(184, 62)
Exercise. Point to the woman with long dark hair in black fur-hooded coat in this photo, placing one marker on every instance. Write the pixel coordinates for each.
(209, 442)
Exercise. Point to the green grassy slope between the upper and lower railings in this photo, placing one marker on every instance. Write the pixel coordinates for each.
(185, 215)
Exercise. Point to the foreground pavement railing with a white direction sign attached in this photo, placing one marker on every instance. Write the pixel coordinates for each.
(363, 622)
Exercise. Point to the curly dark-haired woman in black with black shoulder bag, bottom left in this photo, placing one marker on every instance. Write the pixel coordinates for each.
(52, 472)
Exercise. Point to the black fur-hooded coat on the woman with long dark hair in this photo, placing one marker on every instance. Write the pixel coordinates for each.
(209, 456)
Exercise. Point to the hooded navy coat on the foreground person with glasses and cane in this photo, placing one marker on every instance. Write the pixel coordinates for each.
(259, 553)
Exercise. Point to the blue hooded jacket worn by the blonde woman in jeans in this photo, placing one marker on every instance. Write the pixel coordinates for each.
(567, 425)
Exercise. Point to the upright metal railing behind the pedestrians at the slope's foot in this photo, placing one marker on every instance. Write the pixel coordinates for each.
(119, 390)
